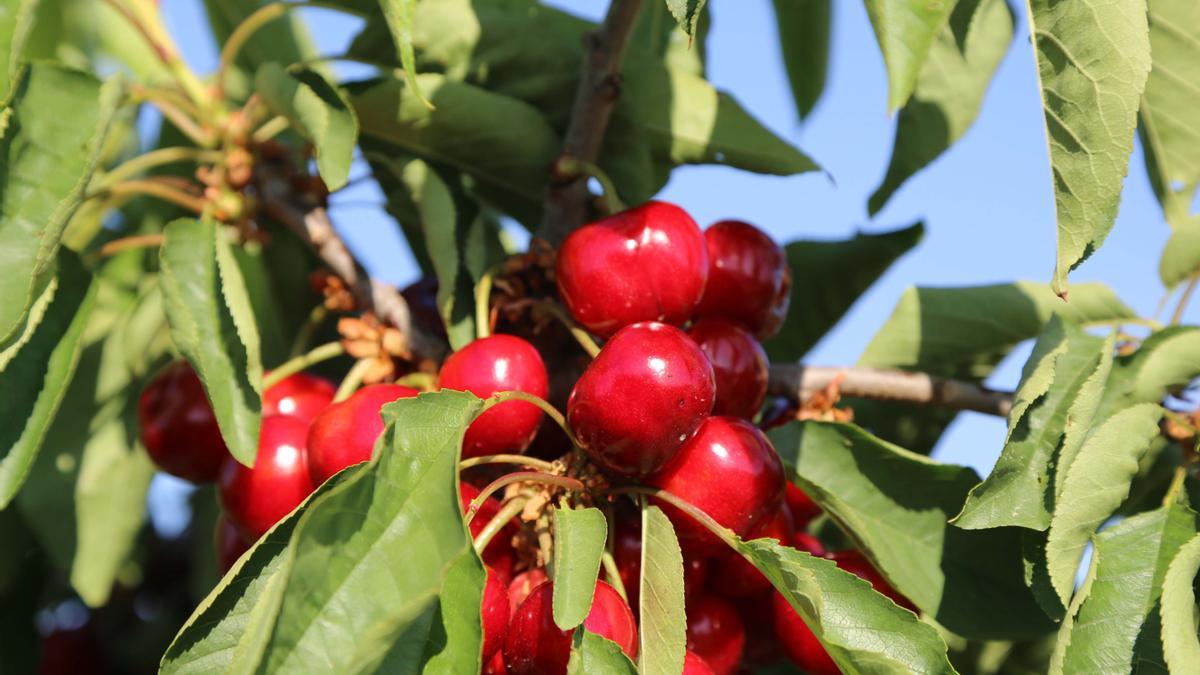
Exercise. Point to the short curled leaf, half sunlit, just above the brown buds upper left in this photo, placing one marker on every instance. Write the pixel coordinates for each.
(319, 111)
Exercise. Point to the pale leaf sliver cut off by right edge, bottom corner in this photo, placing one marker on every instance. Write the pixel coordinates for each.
(1179, 610)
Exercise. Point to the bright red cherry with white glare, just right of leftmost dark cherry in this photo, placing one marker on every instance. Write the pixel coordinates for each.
(256, 499)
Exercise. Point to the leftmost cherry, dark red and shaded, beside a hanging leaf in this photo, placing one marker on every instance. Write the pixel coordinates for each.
(178, 427)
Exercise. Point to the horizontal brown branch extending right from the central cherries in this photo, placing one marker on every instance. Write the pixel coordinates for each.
(797, 381)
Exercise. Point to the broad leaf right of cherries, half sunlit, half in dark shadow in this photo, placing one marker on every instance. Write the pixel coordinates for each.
(896, 506)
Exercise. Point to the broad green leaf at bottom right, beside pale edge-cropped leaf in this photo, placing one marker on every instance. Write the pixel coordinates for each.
(1129, 565)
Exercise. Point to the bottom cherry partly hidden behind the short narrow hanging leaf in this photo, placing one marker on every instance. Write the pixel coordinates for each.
(535, 646)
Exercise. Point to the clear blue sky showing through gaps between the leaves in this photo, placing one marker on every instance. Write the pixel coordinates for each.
(988, 204)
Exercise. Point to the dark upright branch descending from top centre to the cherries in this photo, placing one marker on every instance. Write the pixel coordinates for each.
(595, 100)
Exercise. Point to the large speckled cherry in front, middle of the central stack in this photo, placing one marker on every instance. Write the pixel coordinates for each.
(644, 396)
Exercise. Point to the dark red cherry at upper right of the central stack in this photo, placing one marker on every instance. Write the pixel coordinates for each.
(749, 282)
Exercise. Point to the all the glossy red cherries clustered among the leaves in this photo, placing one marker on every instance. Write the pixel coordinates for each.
(659, 408)
